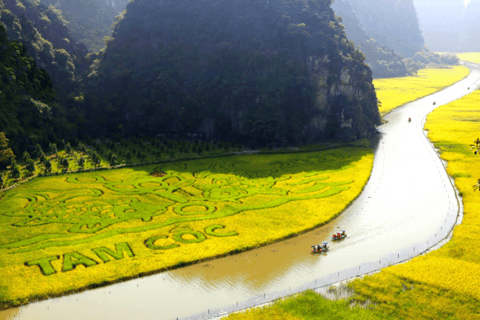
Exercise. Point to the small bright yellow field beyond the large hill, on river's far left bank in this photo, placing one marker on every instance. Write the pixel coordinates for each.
(395, 92)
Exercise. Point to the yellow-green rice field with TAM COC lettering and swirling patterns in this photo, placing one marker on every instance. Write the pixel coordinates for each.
(82, 230)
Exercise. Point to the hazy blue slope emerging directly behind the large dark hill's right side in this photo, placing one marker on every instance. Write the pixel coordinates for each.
(384, 62)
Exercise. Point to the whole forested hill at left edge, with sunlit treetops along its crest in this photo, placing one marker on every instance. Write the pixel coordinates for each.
(46, 59)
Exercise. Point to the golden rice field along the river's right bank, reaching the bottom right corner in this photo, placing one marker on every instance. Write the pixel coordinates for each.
(443, 284)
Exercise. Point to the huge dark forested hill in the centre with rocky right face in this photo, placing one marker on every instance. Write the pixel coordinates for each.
(277, 70)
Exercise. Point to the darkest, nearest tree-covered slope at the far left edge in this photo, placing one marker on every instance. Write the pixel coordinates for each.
(26, 94)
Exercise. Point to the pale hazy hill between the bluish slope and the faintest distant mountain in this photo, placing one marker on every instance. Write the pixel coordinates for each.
(392, 23)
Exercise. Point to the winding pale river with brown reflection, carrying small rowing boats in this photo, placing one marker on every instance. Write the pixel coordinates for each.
(409, 202)
